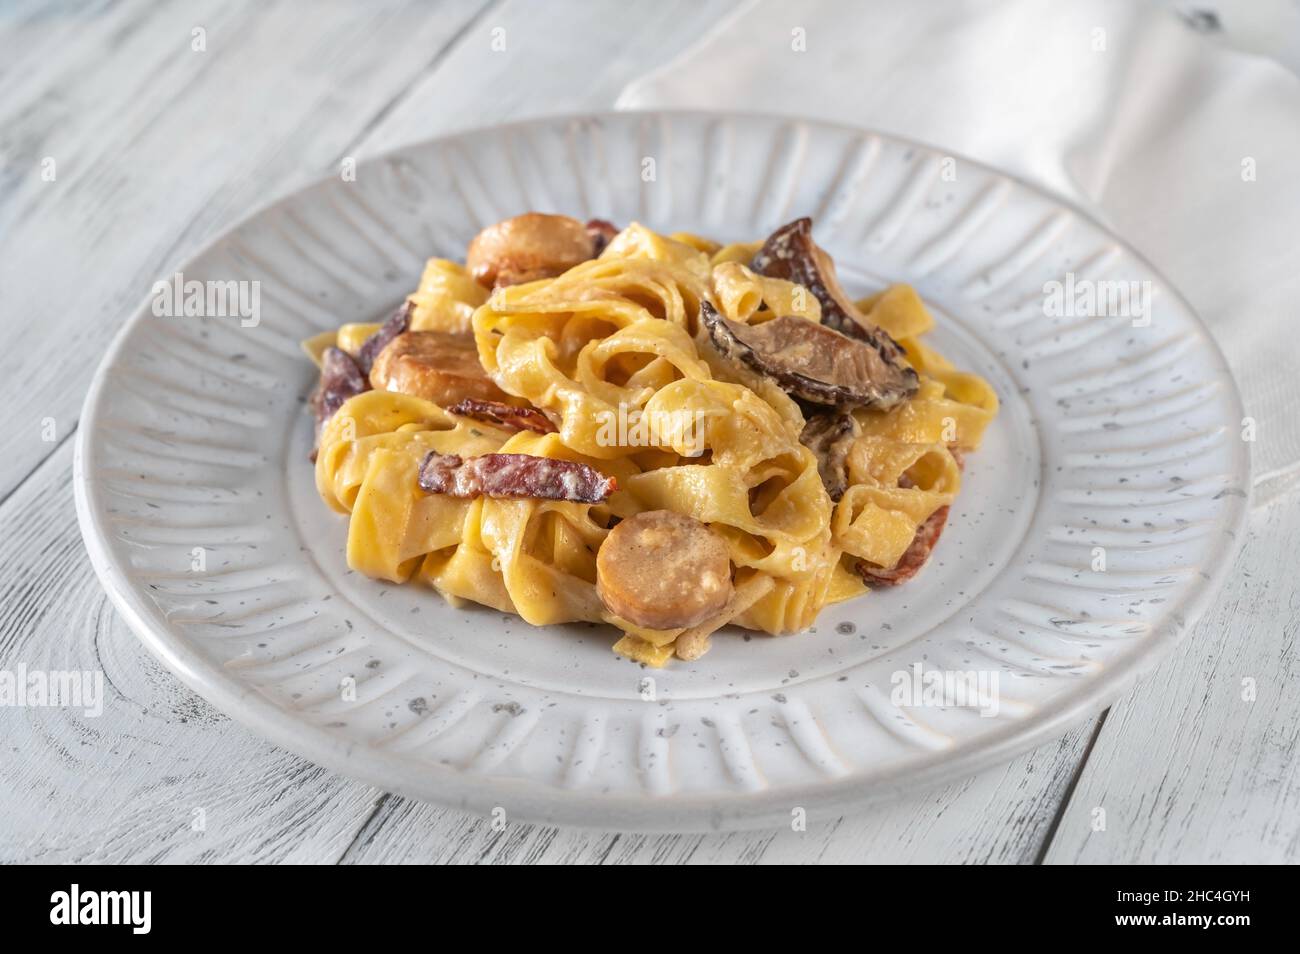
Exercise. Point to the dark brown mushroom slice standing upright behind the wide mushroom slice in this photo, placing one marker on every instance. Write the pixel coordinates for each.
(791, 254)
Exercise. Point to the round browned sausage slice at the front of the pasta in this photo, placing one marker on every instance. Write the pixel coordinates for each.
(664, 571)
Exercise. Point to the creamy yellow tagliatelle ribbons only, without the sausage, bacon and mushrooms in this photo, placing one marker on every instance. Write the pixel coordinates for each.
(616, 353)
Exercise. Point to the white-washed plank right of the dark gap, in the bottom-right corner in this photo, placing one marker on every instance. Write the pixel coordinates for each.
(1189, 769)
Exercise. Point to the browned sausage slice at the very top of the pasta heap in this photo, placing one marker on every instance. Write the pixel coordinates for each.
(528, 248)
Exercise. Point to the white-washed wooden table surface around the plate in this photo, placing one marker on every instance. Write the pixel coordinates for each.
(159, 142)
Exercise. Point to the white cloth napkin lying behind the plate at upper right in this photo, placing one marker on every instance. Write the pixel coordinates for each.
(1123, 107)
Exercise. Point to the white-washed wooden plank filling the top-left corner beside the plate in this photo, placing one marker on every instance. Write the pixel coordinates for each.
(158, 148)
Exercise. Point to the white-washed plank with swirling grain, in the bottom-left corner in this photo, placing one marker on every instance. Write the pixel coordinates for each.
(135, 783)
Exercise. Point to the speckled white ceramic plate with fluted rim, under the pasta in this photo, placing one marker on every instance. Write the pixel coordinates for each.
(1113, 440)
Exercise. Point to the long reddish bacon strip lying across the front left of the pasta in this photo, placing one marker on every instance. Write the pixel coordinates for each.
(514, 475)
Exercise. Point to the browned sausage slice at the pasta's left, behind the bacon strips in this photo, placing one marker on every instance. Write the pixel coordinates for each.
(435, 366)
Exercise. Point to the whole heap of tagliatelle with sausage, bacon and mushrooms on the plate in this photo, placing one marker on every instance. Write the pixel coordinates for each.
(656, 432)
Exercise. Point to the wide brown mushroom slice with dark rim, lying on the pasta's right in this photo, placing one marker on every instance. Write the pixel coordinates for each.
(811, 361)
